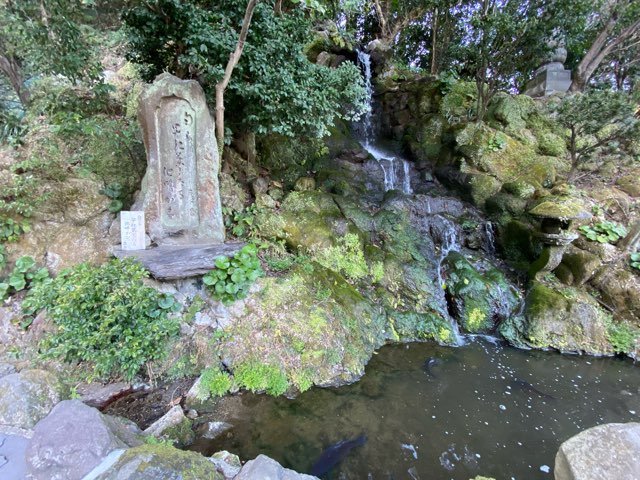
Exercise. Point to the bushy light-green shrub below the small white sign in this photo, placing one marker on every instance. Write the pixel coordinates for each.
(106, 316)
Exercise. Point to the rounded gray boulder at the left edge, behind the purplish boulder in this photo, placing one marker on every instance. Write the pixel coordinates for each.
(28, 396)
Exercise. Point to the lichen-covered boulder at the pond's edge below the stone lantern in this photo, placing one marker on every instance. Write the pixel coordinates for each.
(566, 319)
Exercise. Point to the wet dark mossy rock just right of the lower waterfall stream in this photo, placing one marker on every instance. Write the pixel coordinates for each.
(479, 295)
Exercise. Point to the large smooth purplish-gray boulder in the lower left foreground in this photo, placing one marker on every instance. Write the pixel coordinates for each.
(73, 439)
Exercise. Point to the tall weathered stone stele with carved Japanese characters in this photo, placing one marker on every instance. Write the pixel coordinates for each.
(180, 194)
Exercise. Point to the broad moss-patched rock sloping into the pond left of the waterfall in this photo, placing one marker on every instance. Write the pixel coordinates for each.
(307, 327)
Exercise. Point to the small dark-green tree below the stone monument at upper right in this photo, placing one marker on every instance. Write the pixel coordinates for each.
(597, 120)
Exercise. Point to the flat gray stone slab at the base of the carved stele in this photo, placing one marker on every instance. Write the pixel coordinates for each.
(175, 262)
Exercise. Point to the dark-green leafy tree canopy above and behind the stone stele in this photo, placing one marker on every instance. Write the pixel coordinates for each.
(274, 88)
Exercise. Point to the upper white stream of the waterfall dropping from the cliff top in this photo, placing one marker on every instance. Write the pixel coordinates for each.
(388, 162)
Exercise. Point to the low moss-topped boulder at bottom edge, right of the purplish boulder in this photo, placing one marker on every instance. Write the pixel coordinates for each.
(160, 462)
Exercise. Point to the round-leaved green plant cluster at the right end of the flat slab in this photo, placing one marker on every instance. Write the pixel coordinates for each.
(231, 278)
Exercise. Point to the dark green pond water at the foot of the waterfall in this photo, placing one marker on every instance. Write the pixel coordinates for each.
(474, 415)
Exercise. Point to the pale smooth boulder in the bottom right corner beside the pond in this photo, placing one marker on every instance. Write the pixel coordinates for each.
(605, 452)
